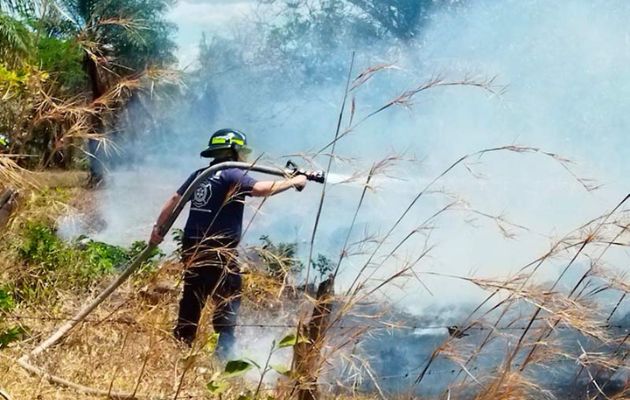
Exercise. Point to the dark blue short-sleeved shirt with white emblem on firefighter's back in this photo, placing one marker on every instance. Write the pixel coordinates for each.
(216, 209)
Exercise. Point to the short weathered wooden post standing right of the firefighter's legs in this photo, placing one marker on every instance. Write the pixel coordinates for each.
(307, 354)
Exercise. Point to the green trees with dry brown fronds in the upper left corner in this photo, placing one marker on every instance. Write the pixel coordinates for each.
(68, 69)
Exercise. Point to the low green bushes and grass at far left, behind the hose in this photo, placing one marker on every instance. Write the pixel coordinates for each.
(40, 265)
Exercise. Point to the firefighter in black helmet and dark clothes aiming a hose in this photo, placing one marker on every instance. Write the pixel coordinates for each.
(211, 234)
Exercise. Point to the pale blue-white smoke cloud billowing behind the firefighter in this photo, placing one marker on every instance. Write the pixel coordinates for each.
(564, 65)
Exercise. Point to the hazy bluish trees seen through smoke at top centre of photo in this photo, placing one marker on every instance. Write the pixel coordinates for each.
(302, 39)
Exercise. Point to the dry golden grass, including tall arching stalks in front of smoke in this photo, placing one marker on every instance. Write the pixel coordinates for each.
(126, 344)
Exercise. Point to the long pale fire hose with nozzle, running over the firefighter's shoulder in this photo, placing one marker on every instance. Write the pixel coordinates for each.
(289, 171)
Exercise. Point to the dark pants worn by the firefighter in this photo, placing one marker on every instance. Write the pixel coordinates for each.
(212, 272)
